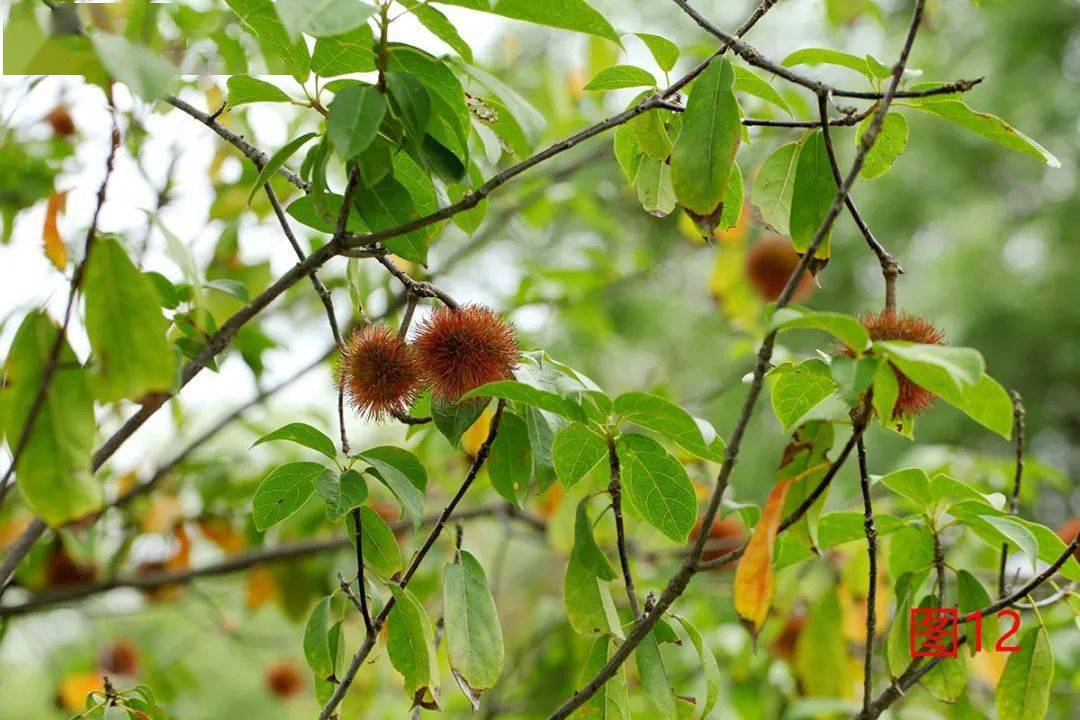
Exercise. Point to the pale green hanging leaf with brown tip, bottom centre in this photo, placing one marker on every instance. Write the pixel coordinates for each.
(474, 635)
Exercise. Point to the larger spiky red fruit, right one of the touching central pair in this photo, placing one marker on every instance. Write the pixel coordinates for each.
(464, 349)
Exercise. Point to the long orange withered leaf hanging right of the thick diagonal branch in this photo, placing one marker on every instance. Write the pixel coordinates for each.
(754, 575)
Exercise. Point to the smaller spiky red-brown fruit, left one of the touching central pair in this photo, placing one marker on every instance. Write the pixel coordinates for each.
(380, 373)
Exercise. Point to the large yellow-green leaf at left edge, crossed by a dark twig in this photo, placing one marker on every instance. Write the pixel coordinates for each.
(53, 472)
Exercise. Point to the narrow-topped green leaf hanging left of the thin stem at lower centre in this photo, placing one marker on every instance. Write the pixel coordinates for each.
(588, 574)
